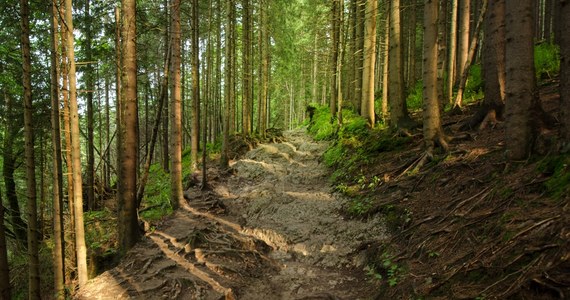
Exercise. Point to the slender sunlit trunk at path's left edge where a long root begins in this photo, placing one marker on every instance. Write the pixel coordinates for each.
(176, 108)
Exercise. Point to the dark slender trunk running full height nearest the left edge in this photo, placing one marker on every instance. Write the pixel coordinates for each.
(33, 247)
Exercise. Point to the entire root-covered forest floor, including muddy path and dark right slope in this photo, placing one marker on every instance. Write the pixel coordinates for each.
(467, 225)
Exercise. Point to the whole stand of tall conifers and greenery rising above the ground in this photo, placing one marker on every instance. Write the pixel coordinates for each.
(110, 109)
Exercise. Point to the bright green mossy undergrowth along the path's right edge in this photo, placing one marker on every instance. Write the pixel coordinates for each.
(353, 146)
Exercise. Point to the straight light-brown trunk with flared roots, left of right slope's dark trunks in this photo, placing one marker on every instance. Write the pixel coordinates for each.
(433, 132)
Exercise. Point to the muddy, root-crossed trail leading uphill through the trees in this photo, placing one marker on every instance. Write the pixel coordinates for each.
(272, 230)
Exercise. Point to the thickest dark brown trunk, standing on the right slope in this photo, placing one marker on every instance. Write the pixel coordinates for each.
(521, 92)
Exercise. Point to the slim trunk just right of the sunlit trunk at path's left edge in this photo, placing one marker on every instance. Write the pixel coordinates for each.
(195, 143)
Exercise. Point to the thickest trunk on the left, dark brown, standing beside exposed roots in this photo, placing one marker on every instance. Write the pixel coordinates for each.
(129, 232)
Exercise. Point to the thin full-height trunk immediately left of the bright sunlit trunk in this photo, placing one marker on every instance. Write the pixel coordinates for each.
(58, 231)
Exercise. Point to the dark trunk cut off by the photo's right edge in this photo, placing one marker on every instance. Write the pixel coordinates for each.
(565, 73)
